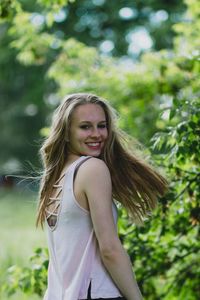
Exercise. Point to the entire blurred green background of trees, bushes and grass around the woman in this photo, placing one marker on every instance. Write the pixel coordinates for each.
(144, 57)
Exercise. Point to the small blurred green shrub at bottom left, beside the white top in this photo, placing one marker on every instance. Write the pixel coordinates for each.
(30, 280)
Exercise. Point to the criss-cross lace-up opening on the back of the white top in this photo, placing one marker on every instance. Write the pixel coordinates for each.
(53, 207)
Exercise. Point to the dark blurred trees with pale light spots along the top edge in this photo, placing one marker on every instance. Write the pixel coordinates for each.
(93, 22)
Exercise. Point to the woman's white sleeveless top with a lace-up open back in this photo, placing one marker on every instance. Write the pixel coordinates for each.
(73, 249)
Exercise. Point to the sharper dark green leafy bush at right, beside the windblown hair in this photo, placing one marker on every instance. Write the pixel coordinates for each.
(172, 237)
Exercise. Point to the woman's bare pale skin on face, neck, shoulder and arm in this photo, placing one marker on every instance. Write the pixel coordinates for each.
(93, 191)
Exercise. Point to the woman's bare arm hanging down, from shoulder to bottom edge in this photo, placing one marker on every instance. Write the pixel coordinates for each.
(95, 181)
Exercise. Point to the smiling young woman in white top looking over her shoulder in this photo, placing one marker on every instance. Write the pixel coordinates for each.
(86, 168)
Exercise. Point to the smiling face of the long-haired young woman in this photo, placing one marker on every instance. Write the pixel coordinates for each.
(88, 130)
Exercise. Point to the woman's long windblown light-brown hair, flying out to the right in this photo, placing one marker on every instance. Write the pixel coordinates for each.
(136, 184)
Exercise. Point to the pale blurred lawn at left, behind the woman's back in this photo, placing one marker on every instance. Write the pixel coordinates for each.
(18, 235)
